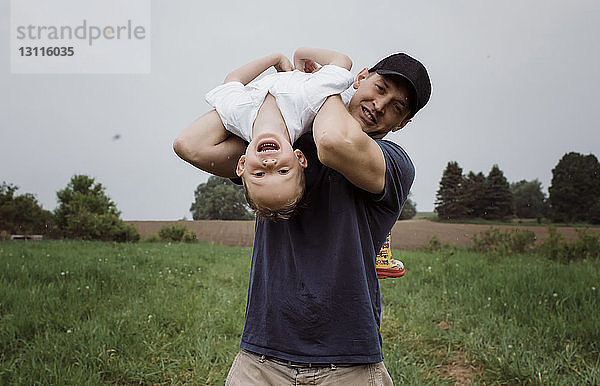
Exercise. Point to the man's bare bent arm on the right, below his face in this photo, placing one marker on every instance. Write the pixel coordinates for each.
(343, 146)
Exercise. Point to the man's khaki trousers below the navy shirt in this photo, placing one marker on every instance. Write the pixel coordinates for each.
(252, 369)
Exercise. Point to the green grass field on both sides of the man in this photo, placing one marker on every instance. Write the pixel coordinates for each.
(82, 313)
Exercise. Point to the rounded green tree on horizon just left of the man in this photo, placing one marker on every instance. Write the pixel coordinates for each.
(220, 199)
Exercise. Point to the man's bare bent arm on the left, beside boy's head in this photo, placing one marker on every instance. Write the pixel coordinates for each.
(207, 145)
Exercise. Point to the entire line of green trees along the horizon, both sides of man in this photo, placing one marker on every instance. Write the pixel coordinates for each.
(84, 210)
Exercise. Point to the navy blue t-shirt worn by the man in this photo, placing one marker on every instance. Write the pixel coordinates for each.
(313, 294)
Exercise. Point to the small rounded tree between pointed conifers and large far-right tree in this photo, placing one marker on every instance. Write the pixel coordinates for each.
(528, 199)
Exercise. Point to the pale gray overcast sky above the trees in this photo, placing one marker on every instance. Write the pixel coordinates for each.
(514, 84)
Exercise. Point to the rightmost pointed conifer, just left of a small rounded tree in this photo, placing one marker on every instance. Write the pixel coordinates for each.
(497, 195)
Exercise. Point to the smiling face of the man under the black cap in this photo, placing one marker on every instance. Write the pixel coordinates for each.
(381, 104)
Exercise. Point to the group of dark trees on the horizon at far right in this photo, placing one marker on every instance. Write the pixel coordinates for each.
(574, 193)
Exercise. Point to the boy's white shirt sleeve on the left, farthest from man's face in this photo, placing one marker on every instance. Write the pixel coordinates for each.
(230, 100)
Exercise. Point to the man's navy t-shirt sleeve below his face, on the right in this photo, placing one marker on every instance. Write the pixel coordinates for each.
(399, 176)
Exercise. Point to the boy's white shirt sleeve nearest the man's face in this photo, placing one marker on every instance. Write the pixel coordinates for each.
(329, 80)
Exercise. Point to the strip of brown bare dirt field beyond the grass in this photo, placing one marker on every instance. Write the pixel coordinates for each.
(408, 234)
